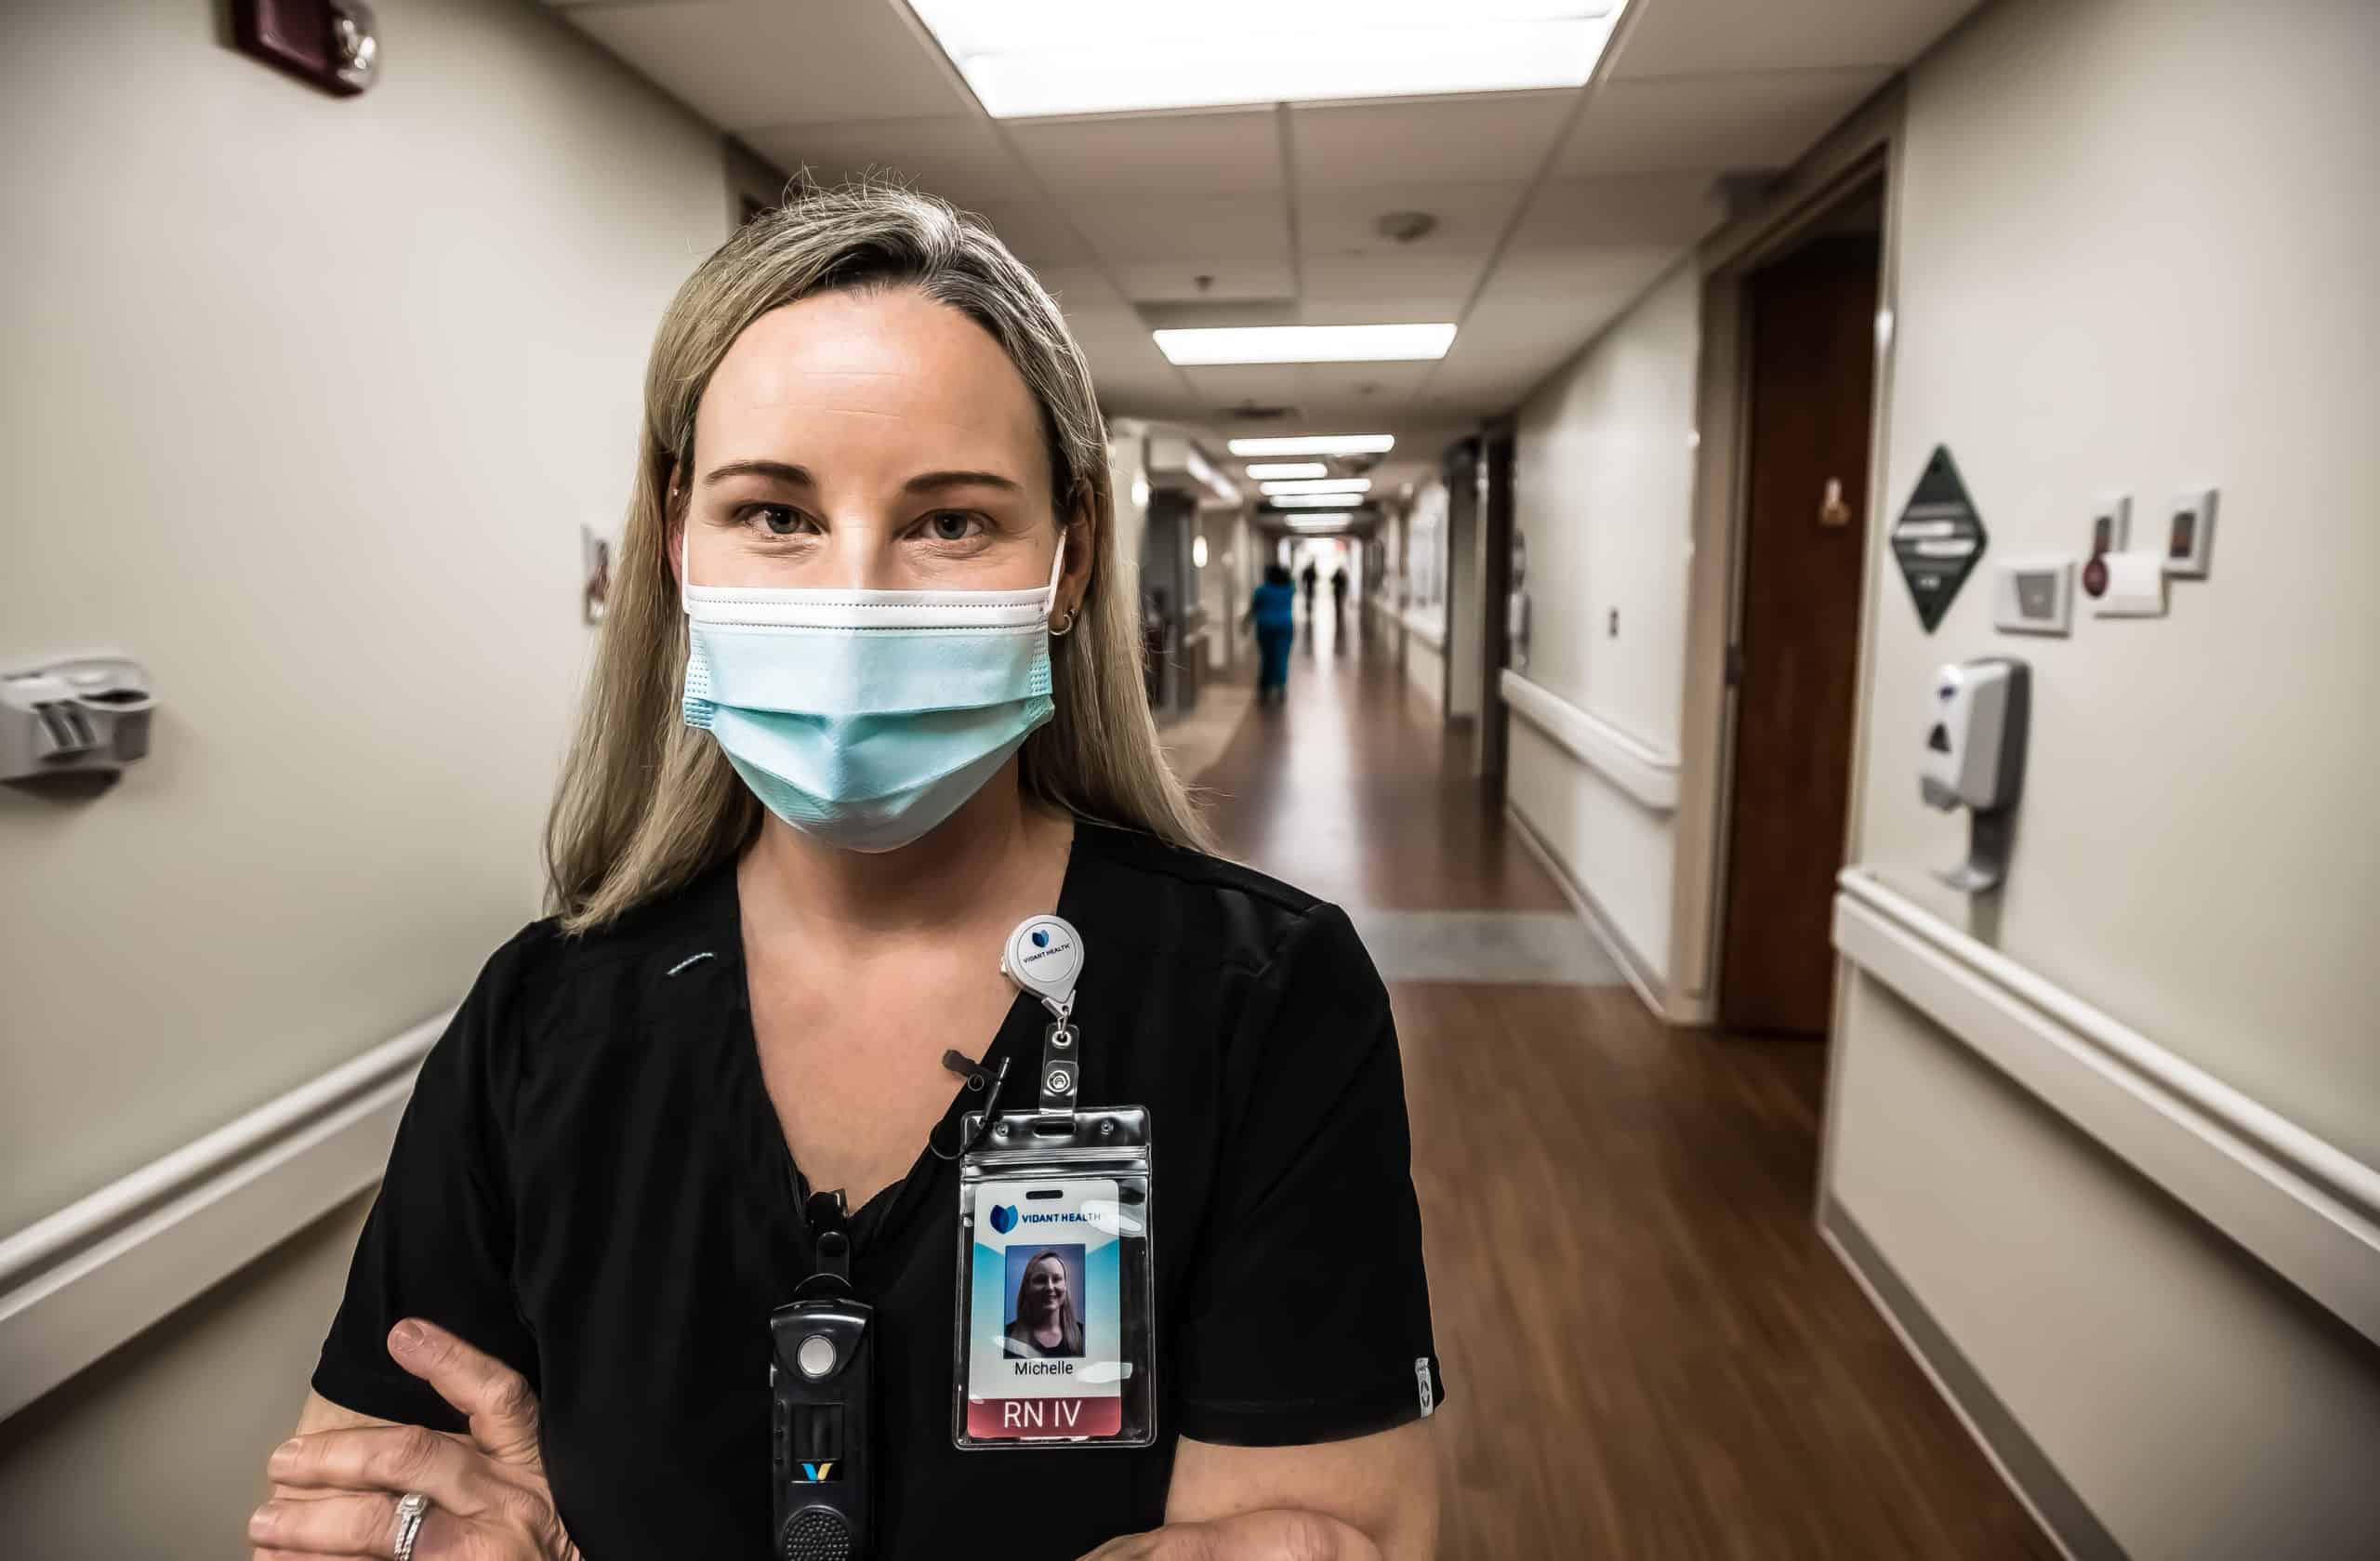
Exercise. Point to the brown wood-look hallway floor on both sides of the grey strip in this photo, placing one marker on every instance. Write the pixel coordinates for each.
(1648, 1348)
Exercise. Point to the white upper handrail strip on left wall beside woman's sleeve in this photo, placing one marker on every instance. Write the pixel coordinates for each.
(94, 1217)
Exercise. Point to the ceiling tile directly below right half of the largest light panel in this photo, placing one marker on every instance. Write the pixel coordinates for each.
(1493, 139)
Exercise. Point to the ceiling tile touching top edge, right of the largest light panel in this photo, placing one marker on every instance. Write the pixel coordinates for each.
(1708, 37)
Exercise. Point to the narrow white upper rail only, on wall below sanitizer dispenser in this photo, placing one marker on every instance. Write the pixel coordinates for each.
(2303, 1153)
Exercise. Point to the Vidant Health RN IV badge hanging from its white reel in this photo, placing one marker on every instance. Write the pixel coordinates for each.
(1056, 1284)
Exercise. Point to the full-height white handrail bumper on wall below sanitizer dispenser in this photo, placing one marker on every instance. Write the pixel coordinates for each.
(2293, 1200)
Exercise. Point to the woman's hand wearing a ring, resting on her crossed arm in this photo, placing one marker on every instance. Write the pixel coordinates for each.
(489, 1498)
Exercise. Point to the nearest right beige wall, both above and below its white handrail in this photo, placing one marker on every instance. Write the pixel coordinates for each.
(2136, 253)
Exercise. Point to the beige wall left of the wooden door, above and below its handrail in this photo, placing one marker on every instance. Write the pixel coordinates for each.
(1603, 491)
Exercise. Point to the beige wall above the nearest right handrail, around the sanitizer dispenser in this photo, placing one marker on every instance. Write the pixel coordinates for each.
(2136, 253)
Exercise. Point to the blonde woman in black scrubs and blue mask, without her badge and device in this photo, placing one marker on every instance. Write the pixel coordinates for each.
(868, 696)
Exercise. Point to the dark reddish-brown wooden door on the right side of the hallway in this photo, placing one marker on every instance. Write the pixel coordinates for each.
(1798, 641)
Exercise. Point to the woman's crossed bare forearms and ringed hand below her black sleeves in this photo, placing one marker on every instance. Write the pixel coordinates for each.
(337, 1484)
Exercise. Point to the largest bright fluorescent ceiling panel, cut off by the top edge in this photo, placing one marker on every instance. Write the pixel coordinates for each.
(1029, 58)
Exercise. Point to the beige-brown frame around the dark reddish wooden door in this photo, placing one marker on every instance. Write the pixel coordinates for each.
(1846, 168)
